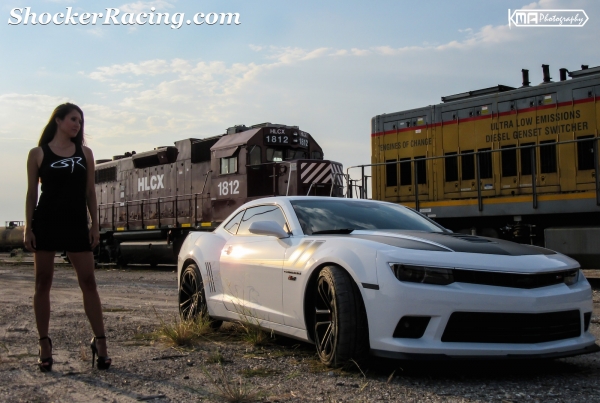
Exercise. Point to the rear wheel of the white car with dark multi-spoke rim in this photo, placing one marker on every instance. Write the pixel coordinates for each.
(192, 299)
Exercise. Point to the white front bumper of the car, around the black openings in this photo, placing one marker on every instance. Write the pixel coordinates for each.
(394, 300)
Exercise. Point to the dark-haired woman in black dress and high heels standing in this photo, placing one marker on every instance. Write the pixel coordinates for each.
(65, 168)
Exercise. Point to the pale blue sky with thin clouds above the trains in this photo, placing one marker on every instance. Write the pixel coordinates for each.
(327, 66)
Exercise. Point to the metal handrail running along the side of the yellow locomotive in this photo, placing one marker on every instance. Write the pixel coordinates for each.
(363, 192)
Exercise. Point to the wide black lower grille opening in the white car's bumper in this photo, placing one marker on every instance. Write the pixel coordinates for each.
(488, 327)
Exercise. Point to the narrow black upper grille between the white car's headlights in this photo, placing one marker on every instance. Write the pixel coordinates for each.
(513, 280)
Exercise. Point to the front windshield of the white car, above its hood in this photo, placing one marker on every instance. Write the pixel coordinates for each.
(344, 216)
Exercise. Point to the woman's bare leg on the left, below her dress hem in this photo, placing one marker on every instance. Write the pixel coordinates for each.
(44, 272)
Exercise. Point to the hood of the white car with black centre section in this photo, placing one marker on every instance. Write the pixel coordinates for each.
(448, 242)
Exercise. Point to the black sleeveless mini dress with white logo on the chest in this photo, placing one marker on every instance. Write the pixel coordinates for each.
(60, 220)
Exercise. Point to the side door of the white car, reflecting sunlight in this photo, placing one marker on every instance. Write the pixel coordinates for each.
(252, 266)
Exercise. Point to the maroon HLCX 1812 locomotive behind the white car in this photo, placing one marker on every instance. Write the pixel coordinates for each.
(148, 202)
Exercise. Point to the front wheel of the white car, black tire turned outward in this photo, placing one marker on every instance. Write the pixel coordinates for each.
(340, 322)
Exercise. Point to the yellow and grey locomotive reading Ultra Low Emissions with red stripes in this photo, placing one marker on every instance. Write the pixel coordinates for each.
(515, 163)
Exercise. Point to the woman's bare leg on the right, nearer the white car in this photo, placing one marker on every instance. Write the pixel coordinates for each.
(84, 267)
